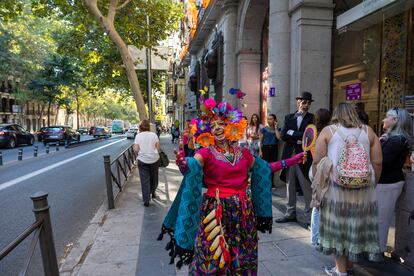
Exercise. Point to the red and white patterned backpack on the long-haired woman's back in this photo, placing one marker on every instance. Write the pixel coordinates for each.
(353, 168)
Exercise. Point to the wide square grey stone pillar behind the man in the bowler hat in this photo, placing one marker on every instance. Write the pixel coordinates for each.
(311, 38)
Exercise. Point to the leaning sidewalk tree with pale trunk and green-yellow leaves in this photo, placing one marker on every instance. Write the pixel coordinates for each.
(124, 22)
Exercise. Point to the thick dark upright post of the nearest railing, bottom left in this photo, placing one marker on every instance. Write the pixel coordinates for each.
(47, 245)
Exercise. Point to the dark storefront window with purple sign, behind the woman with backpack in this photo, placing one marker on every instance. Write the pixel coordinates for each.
(374, 63)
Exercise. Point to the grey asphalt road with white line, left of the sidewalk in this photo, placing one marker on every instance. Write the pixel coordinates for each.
(75, 181)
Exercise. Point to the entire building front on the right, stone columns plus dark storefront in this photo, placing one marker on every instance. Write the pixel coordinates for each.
(348, 50)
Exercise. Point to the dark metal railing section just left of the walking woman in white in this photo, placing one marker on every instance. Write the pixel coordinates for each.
(117, 171)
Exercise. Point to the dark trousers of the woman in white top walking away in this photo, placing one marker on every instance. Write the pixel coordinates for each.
(148, 173)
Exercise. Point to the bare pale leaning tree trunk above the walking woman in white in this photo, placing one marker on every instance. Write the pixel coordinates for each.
(108, 24)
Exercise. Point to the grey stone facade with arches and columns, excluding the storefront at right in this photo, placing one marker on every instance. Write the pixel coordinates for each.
(271, 50)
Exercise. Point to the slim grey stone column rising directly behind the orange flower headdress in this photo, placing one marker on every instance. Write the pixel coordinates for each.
(229, 53)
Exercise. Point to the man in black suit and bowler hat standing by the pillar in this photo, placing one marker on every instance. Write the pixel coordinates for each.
(292, 133)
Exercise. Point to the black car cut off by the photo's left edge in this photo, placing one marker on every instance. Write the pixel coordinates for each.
(12, 135)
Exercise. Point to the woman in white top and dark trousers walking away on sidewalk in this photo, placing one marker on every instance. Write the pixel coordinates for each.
(147, 145)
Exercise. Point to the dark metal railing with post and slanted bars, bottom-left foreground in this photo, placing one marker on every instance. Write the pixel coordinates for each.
(42, 229)
